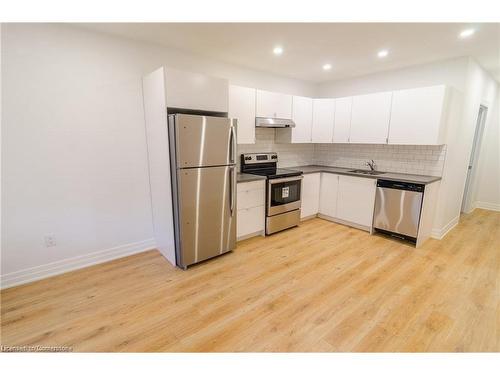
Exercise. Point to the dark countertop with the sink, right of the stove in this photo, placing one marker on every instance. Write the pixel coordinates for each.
(403, 177)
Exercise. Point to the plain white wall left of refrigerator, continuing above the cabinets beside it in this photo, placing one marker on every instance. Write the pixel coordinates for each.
(74, 149)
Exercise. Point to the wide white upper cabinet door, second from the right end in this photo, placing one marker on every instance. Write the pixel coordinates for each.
(370, 118)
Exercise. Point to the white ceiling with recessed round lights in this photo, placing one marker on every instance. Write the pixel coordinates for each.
(351, 48)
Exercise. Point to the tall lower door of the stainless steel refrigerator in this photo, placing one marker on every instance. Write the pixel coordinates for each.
(207, 213)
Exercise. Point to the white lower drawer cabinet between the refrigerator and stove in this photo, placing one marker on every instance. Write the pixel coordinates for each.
(251, 212)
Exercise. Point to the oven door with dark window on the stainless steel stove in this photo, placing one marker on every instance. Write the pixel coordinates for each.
(283, 195)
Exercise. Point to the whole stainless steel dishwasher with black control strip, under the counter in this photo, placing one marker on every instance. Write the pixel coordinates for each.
(397, 209)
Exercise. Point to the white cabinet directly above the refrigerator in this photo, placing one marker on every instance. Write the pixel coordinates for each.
(196, 91)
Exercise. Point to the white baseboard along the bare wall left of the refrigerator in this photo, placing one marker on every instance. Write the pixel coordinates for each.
(51, 269)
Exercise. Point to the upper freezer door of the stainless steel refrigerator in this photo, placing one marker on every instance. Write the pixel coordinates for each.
(204, 141)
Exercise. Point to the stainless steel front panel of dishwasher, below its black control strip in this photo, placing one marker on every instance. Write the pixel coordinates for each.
(397, 211)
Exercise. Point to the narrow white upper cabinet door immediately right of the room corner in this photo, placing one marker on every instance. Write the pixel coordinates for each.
(323, 120)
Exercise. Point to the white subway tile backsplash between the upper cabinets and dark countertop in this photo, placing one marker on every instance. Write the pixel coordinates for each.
(427, 160)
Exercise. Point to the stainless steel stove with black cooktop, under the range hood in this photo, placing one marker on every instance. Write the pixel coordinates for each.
(283, 190)
